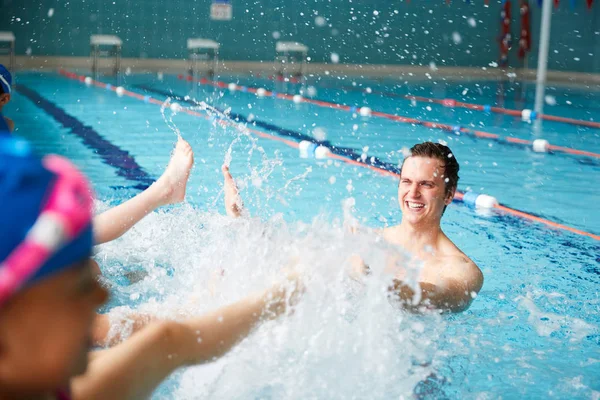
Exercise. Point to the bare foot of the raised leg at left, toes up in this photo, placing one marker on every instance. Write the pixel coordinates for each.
(173, 181)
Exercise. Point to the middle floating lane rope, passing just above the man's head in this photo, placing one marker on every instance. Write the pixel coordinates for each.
(454, 129)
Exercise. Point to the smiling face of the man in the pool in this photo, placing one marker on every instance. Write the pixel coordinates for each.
(422, 190)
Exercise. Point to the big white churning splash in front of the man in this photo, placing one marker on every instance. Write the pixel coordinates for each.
(195, 262)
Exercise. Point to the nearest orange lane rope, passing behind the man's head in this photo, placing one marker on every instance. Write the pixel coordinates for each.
(459, 196)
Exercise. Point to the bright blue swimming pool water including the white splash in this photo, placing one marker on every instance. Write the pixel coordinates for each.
(533, 331)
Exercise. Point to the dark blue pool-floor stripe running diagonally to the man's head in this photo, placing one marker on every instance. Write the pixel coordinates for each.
(288, 133)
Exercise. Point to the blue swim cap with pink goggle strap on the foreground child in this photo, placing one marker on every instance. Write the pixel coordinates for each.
(46, 213)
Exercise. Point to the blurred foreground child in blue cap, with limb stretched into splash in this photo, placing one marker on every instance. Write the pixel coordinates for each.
(49, 296)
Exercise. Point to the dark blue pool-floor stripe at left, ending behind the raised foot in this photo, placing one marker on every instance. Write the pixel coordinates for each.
(109, 153)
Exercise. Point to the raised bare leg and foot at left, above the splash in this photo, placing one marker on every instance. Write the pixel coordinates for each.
(168, 189)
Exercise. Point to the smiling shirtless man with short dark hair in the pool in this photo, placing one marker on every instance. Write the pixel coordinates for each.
(449, 280)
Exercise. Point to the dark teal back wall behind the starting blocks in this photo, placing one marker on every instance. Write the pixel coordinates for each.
(417, 32)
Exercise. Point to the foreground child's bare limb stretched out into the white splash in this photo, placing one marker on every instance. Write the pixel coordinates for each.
(133, 369)
